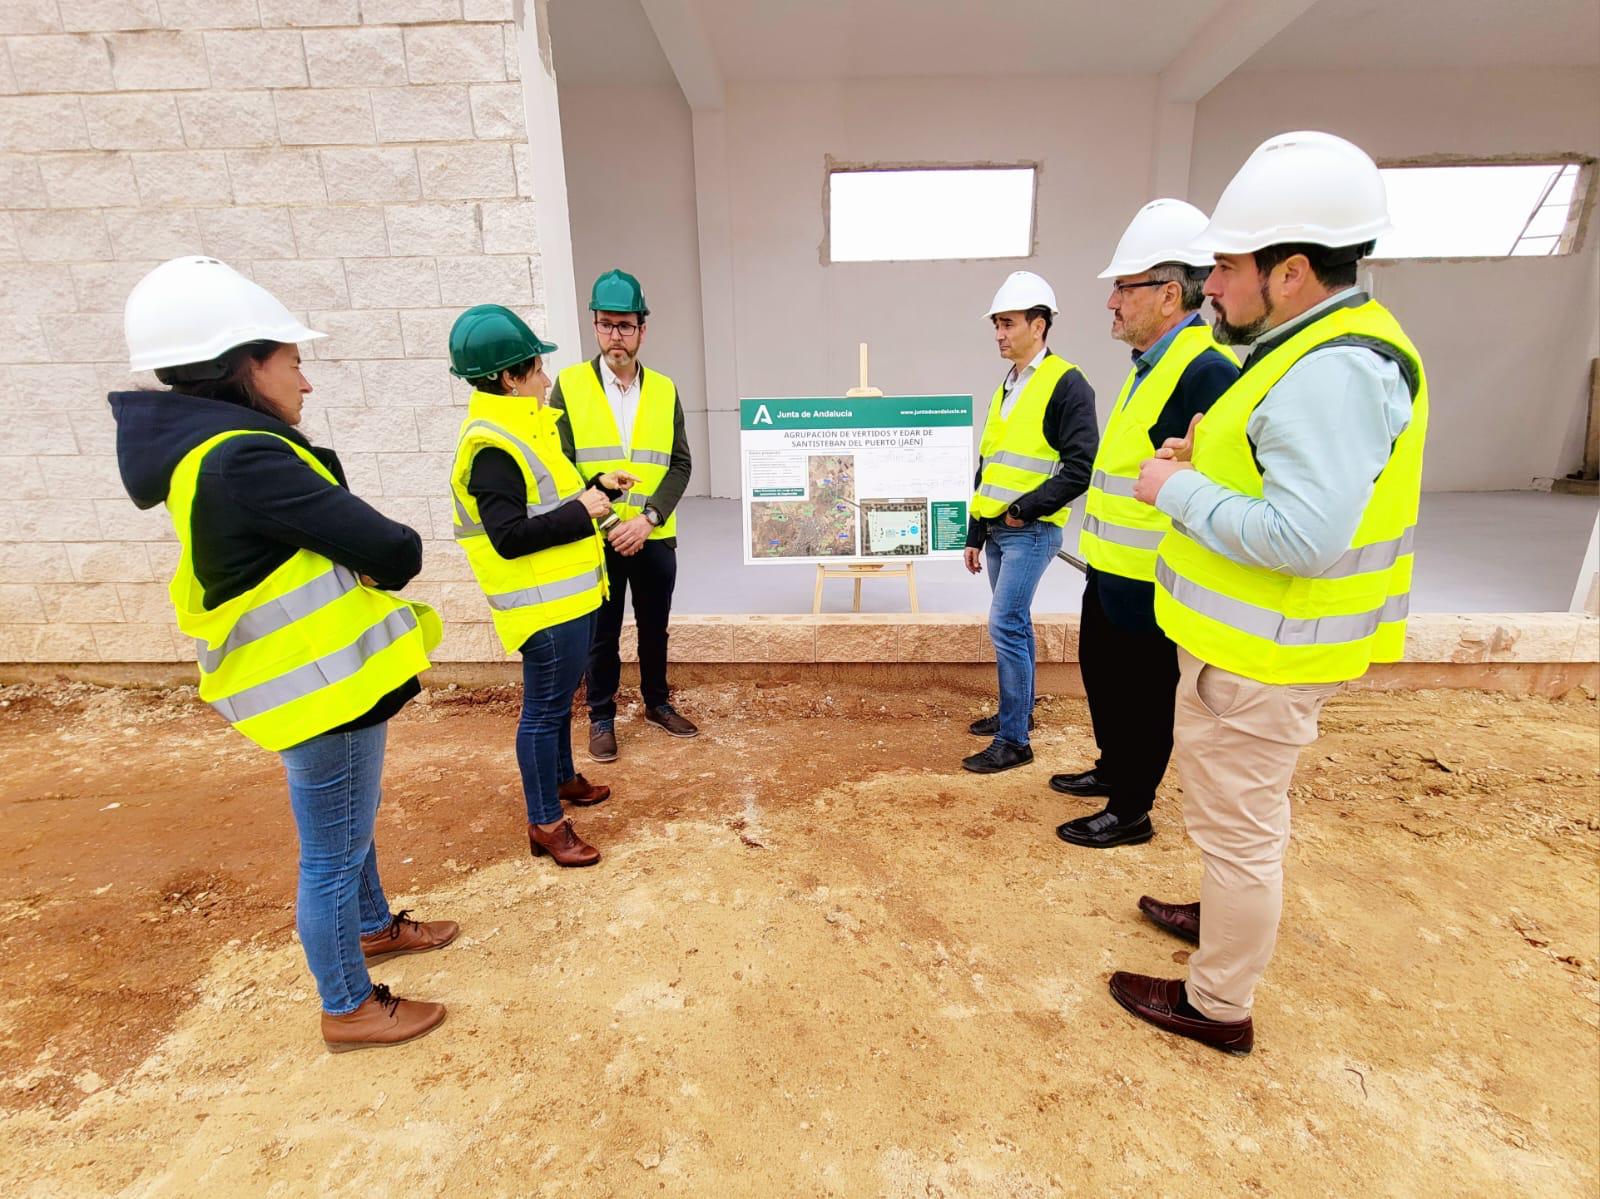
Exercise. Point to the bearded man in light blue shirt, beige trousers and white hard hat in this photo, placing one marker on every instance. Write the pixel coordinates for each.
(1289, 566)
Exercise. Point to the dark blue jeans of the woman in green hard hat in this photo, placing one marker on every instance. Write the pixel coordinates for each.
(553, 665)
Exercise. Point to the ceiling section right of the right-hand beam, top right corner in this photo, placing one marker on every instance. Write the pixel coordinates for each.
(1423, 34)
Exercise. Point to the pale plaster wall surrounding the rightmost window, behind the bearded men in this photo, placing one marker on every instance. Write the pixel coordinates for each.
(1506, 343)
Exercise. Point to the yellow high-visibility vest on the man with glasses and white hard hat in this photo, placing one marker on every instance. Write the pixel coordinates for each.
(1119, 534)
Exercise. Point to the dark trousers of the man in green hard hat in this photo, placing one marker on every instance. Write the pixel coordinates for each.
(650, 574)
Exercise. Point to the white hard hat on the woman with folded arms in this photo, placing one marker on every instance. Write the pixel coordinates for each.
(196, 310)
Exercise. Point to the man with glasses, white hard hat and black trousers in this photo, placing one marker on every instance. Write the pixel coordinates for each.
(1130, 667)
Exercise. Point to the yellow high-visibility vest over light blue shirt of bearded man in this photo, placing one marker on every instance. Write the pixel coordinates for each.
(1282, 628)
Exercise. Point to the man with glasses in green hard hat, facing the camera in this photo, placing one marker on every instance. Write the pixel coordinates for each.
(622, 417)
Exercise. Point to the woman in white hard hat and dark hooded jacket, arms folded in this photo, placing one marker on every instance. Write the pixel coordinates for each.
(284, 585)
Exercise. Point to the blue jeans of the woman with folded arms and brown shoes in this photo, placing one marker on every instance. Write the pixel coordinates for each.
(334, 793)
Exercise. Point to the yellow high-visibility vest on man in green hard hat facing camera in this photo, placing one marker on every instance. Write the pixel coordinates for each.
(599, 444)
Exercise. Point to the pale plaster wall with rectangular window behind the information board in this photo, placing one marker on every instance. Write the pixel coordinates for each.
(799, 321)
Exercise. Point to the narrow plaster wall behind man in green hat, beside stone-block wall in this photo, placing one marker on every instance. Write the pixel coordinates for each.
(631, 194)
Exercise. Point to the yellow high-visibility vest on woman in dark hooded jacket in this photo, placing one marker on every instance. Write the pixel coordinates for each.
(305, 651)
